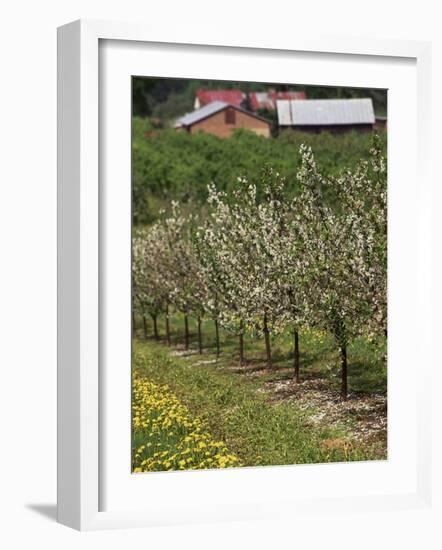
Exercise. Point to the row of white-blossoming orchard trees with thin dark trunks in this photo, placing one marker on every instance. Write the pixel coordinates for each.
(271, 263)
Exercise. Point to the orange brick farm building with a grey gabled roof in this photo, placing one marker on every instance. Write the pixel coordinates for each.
(221, 119)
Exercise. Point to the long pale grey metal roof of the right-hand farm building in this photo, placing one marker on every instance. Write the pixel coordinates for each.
(333, 115)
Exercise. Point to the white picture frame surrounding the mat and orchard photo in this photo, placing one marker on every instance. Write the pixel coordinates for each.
(80, 266)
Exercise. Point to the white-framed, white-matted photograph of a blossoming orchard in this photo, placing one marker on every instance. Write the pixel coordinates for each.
(241, 237)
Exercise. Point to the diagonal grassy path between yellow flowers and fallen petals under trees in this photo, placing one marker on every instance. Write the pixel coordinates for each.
(234, 411)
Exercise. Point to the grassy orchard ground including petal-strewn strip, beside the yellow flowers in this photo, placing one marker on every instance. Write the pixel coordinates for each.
(263, 417)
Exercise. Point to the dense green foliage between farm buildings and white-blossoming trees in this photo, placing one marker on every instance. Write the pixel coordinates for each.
(175, 165)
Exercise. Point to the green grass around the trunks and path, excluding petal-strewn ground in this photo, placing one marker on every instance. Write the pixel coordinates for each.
(227, 398)
